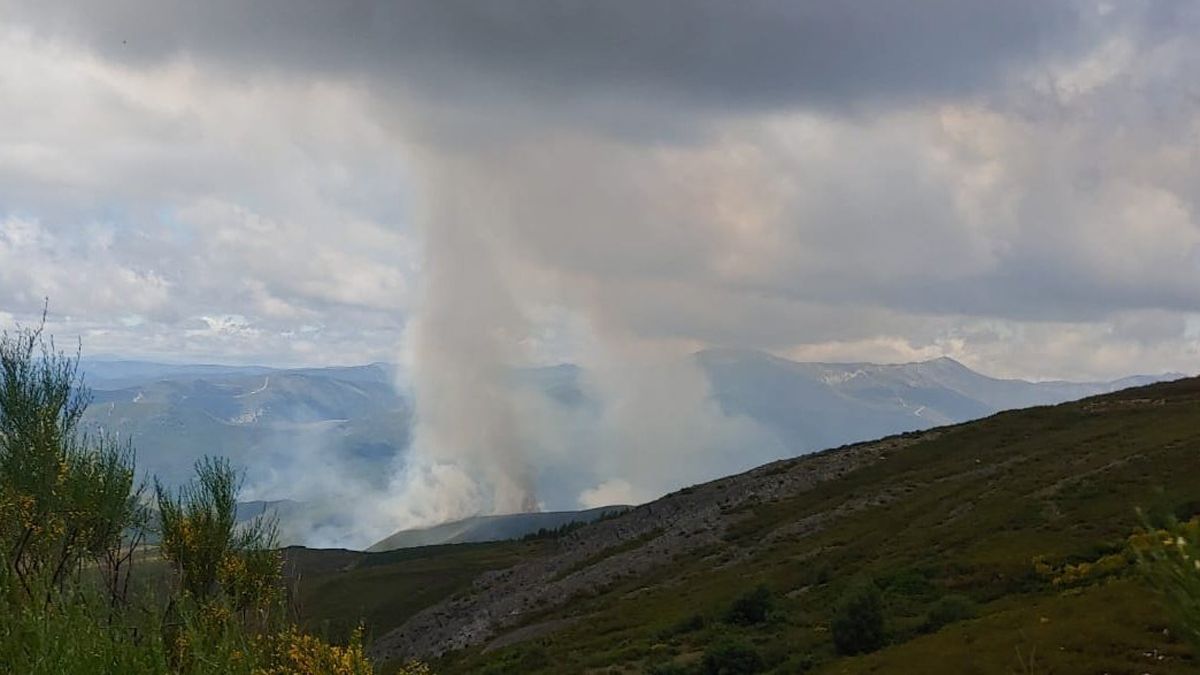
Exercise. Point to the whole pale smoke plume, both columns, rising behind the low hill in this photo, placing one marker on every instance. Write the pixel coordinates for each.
(513, 226)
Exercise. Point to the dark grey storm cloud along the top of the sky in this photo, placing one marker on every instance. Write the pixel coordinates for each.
(711, 53)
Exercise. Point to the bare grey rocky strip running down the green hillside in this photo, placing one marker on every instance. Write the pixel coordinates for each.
(497, 611)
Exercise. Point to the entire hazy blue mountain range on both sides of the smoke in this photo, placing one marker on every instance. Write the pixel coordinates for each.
(277, 422)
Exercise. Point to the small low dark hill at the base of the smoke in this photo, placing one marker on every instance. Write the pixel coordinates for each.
(494, 528)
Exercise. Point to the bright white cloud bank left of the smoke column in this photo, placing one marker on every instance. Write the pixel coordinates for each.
(175, 194)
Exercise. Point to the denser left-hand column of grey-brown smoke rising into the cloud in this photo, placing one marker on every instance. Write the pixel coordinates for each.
(469, 455)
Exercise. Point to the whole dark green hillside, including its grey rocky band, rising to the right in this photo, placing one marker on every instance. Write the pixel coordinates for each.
(982, 518)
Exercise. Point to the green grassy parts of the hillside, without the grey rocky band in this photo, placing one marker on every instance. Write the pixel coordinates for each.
(963, 513)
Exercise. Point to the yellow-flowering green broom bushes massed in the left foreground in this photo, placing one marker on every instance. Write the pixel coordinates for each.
(71, 521)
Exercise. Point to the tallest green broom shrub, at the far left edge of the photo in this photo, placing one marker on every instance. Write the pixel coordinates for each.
(65, 498)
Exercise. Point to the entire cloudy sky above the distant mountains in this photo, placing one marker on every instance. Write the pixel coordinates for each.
(1013, 184)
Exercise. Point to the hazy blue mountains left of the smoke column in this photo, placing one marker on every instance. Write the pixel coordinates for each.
(257, 417)
